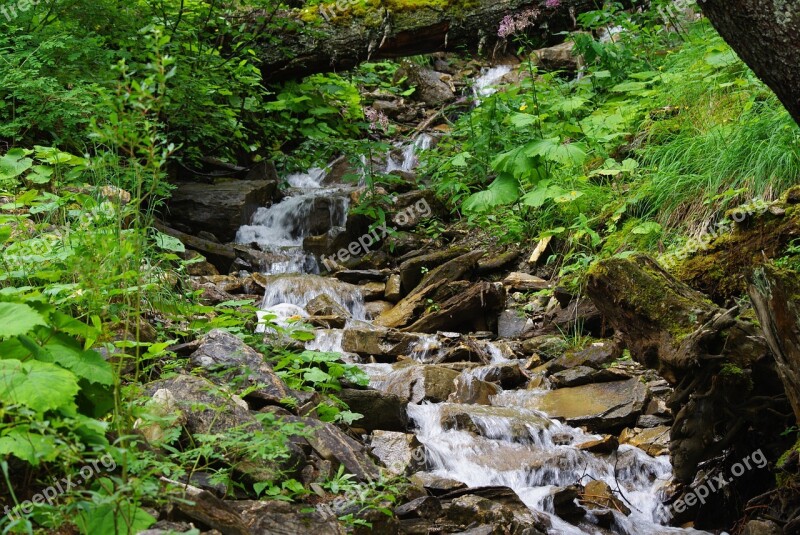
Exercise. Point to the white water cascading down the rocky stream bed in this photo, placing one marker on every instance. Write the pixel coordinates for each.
(515, 445)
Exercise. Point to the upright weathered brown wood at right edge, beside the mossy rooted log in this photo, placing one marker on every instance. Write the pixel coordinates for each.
(775, 299)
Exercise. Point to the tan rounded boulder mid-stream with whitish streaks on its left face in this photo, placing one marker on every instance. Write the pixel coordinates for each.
(416, 384)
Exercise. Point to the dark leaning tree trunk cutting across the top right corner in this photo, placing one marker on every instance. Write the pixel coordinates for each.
(765, 35)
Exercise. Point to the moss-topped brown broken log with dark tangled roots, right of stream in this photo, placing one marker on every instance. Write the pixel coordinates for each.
(724, 383)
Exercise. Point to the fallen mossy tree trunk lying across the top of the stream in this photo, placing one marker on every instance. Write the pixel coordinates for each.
(332, 39)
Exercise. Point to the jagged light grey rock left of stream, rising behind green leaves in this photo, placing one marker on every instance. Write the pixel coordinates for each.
(224, 357)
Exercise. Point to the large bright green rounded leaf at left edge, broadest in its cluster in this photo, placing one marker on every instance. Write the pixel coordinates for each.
(40, 386)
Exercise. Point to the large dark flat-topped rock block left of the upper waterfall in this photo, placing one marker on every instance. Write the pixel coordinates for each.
(220, 208)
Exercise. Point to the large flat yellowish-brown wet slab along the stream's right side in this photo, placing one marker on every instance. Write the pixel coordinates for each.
(600, 407)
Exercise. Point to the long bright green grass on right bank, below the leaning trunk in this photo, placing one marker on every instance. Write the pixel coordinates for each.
(730, 141)
